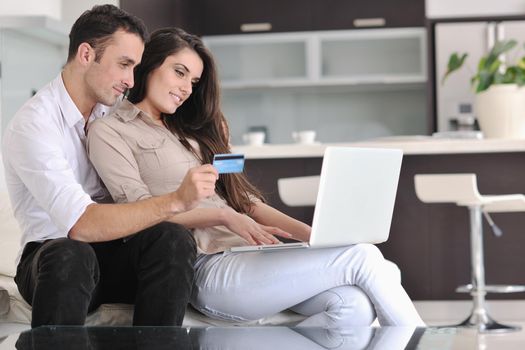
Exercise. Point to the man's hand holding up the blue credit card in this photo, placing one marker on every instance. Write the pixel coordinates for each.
(199, 183)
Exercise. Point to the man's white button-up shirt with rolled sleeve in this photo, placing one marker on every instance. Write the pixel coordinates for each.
(49, 176)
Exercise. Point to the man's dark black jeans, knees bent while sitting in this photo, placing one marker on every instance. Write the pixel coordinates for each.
(64, 279)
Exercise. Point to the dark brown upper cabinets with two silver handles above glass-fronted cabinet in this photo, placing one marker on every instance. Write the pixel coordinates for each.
(242, 16)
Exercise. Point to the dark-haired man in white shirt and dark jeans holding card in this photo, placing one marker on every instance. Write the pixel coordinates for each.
(78, 254)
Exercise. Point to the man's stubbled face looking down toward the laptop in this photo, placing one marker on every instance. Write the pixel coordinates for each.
(109, 78)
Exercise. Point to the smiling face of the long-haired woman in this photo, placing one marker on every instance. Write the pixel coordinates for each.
(171, 84)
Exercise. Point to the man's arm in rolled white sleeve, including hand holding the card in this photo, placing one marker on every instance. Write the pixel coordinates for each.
(34, 150)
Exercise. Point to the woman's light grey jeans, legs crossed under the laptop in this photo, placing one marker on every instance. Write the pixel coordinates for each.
(333, 287)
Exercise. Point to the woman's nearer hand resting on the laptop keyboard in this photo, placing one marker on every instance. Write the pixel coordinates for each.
(250, 230)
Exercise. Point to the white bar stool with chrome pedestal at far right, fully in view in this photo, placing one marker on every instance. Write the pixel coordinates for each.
(462, 189)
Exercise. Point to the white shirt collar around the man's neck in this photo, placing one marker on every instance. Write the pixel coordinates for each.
(69, 110)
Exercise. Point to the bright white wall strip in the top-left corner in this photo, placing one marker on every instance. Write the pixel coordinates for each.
(50, 8)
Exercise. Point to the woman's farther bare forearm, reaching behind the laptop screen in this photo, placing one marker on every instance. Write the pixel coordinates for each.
(266, 215)
